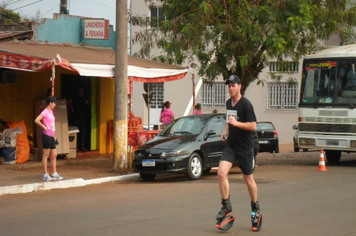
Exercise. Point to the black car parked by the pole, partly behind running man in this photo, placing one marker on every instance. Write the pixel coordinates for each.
(190, 145)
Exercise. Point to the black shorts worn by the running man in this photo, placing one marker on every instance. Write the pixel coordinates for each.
(245, 159)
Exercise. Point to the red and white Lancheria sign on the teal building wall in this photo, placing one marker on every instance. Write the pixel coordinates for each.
(96, 29)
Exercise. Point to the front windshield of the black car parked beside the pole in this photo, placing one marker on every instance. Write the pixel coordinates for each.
(185, 126)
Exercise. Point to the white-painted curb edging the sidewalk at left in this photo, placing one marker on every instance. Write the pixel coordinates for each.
(71, 183)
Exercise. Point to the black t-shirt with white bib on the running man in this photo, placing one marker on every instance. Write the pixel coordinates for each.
(240, 139)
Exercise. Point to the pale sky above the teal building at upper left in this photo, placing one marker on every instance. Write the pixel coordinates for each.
(89, 8)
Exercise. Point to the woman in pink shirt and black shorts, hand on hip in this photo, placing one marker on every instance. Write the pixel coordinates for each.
(48, 137)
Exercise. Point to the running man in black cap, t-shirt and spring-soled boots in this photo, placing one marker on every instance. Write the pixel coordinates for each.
(239, 135)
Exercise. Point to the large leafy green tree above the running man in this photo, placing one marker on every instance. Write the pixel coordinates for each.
(237, 36)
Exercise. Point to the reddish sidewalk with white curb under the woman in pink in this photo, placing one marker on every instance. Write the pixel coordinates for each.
(77, 172)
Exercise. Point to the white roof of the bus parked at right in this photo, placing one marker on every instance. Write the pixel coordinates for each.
(338, 51)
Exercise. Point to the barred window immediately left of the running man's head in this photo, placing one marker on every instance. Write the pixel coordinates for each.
(214, 95)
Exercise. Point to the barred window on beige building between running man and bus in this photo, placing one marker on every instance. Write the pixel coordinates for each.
(282, 95)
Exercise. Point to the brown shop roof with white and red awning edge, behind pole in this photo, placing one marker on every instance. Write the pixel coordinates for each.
(87, 61)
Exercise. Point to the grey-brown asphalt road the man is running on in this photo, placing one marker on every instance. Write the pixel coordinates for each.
(295, 199)
